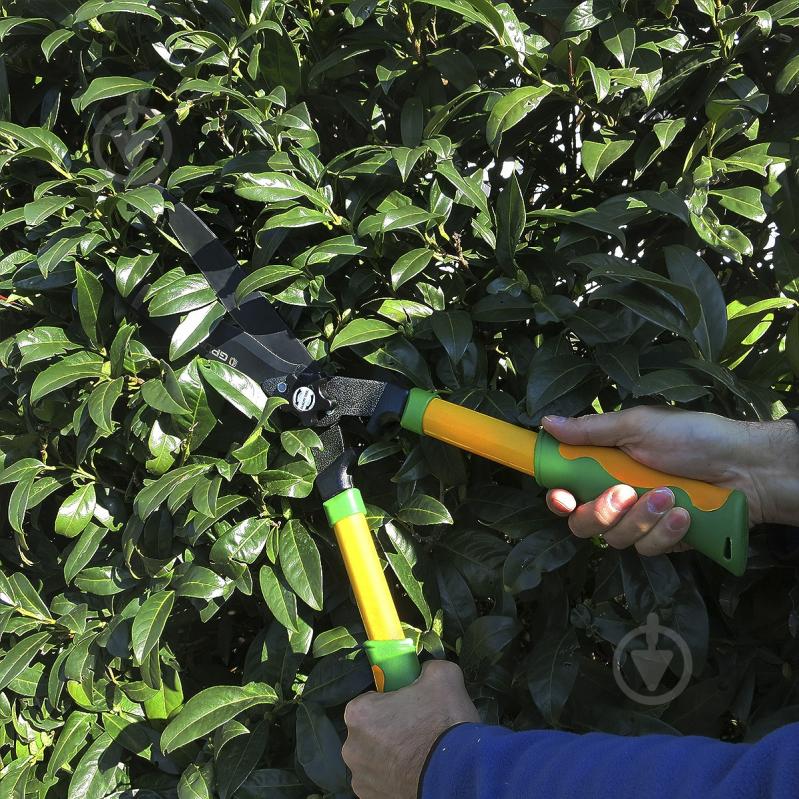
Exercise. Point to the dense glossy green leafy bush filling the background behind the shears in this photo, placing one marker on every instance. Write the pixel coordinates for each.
(542, 207)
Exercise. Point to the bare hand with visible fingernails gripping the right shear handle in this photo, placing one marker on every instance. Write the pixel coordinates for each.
(759, 458)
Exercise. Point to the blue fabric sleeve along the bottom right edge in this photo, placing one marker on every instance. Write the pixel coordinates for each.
(477, 761)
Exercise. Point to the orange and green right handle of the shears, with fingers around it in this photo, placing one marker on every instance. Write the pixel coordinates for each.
(719, 516)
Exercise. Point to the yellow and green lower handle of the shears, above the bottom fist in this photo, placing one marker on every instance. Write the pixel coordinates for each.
(392, 655)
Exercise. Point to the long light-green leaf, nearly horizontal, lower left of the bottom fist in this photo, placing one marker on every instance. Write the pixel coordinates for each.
(210, 709)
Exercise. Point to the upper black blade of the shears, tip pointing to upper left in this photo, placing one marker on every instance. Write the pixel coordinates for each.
(263, 333)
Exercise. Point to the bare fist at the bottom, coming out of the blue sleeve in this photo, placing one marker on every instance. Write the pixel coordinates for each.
(390, 735)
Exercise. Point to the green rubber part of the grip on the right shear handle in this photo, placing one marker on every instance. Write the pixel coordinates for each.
(721, 534)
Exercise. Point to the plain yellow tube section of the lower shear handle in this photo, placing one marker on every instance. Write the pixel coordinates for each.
(367, 579)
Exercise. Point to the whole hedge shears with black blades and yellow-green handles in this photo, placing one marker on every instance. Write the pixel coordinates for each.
(253, 338)
